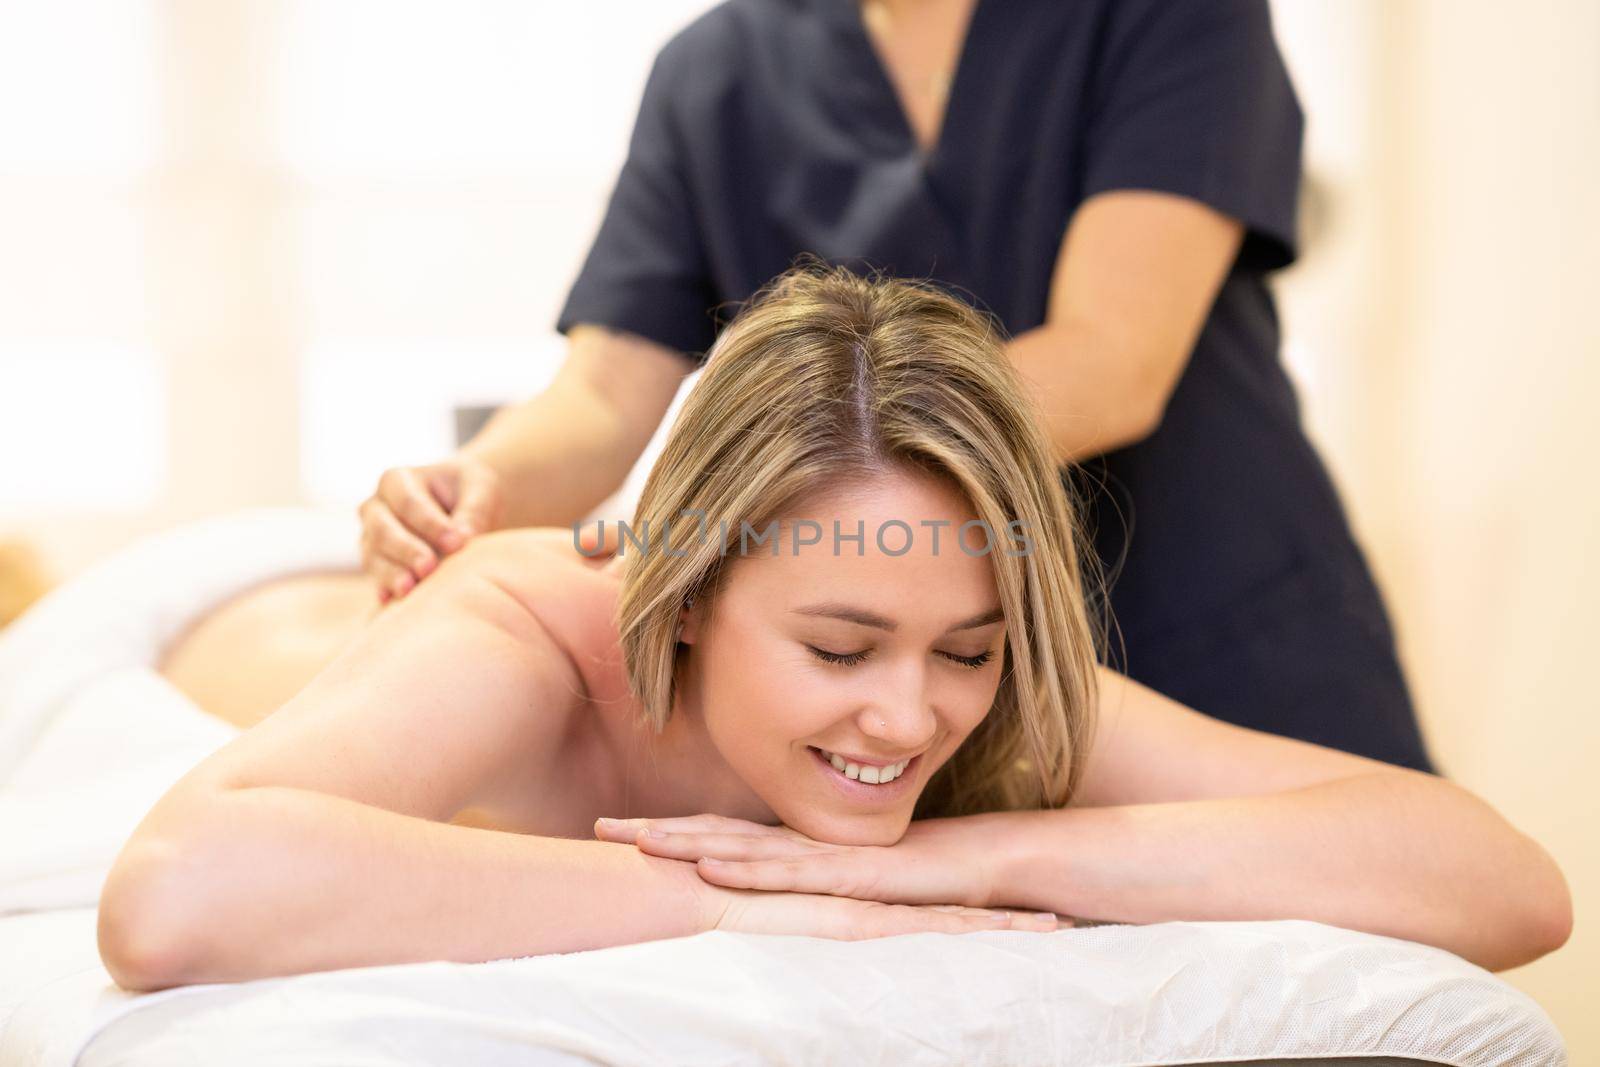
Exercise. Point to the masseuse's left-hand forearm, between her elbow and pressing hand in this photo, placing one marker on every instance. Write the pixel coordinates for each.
(559, 455)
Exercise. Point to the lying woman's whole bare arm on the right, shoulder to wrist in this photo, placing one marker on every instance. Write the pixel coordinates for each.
(1188, 818)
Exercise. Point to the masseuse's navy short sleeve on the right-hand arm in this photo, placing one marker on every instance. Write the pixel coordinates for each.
(1193, 98)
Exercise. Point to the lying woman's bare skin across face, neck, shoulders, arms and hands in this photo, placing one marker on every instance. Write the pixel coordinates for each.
(367, 807)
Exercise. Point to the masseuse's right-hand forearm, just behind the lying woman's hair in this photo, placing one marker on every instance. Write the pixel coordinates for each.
(1095, 393)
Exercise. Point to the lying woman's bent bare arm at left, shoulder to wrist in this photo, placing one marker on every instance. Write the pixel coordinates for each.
(319, 837)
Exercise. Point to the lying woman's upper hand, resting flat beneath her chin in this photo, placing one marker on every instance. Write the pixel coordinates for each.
(940, 861)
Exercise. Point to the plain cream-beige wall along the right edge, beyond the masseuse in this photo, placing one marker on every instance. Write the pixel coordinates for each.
(1498, 359)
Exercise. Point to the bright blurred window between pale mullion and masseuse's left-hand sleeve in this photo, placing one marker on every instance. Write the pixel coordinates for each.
(450, 164)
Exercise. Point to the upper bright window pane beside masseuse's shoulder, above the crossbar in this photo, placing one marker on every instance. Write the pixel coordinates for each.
(382, 89)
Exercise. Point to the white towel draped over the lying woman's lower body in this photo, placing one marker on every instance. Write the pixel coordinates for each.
(90, 733)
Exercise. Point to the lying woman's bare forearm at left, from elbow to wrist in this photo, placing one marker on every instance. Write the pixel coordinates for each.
(279, 881)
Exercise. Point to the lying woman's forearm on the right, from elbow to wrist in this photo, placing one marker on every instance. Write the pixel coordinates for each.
(1391, 853)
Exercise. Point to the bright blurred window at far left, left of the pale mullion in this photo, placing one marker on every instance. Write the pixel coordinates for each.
(81, 386)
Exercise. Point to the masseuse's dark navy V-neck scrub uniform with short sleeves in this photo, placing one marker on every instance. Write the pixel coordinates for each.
(770, 129)
